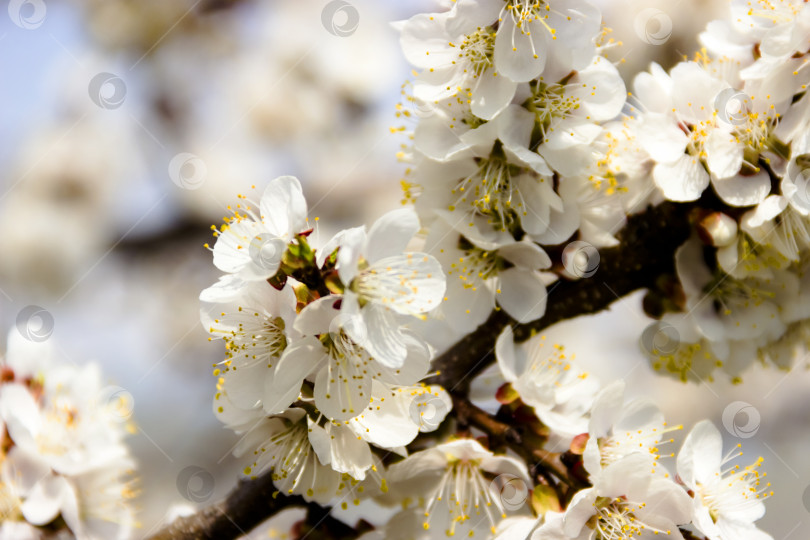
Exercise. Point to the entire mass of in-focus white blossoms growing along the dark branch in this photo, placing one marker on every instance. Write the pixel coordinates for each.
(523, 149)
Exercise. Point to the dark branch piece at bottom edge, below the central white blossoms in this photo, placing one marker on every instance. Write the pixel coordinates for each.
(249, 504)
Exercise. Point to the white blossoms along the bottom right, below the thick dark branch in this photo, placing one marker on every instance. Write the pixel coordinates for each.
(461, 488)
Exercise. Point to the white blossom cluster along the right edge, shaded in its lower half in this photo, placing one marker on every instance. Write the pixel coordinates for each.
(729, 129)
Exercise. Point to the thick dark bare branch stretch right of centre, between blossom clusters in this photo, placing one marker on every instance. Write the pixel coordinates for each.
(645, 252)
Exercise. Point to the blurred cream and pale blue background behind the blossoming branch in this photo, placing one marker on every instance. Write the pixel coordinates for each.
(129, 125)
